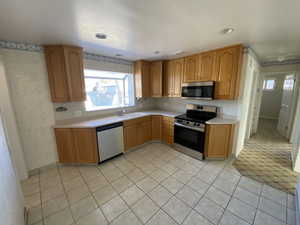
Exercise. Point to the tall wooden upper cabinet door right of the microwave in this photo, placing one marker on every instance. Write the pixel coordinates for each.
(228, 63)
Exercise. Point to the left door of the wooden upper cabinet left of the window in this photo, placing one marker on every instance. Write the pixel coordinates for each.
(57, 75)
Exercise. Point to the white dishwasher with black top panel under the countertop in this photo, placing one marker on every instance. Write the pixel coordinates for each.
(110, 140)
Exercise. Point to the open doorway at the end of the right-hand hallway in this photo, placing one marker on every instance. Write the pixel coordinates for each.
(273, 110)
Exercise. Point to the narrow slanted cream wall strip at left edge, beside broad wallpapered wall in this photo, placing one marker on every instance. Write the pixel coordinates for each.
(9, 119)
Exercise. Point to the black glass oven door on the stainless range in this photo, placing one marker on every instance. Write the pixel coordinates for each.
(192, 138)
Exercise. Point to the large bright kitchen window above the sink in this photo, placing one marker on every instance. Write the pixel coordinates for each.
(107, 90)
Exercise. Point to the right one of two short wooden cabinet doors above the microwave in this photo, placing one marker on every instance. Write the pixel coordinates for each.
(206, 66)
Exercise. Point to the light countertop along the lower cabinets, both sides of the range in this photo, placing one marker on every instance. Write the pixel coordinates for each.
(128, 116)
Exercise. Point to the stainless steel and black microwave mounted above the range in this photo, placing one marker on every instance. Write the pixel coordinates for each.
(198, 90)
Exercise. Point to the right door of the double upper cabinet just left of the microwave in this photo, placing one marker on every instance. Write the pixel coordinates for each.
(178, 68)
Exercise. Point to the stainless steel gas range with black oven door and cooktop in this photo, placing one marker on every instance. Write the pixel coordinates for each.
(189, 129)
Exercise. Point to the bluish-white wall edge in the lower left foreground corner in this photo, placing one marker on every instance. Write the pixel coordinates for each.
(11, 199)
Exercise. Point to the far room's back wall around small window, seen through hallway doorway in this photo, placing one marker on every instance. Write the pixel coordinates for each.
(271, 100)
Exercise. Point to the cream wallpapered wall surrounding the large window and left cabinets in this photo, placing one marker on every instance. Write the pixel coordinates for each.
(35, 113)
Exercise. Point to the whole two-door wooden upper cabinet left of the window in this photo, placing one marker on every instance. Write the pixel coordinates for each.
(65, 73)
